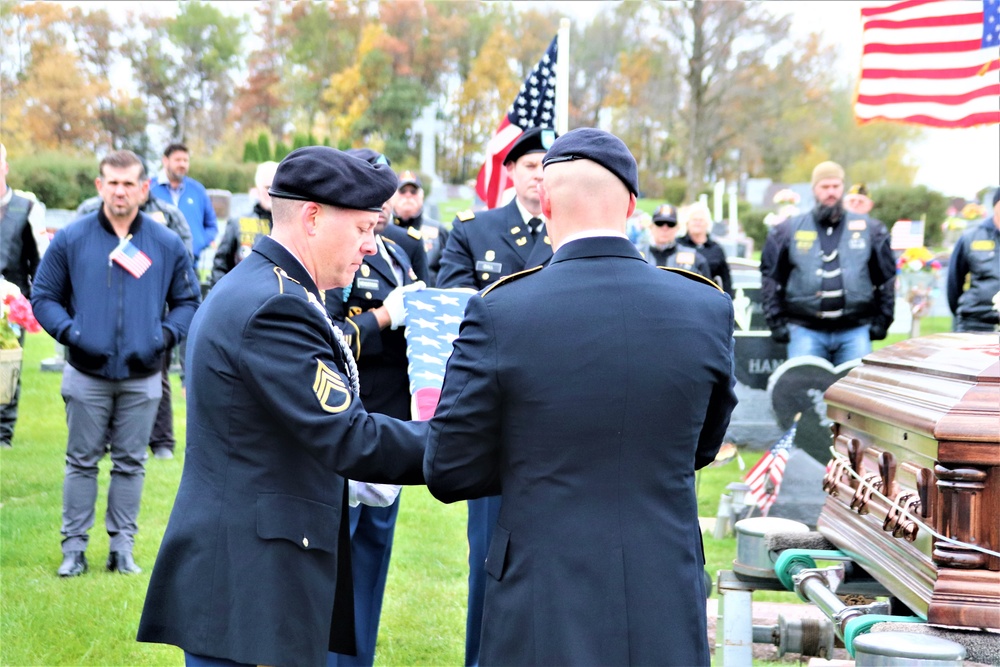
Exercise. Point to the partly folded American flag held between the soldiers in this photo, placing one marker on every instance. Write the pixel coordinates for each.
(432, 320)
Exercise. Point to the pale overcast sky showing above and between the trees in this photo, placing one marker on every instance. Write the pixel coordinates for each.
(954, 162)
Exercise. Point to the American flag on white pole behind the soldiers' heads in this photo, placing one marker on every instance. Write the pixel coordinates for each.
(535, 106)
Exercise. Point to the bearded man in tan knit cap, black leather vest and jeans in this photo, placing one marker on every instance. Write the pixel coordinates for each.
(827, 277)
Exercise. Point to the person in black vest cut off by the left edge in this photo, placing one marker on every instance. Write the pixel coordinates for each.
(18, 262)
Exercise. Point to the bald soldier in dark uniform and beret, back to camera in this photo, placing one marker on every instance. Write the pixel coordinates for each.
(592, 442)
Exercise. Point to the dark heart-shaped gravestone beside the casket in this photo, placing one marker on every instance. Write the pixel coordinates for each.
(796, 387)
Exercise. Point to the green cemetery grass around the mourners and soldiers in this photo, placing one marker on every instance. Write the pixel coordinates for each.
(92, 619)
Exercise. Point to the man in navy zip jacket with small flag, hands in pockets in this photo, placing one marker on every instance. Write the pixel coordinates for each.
(101, 290)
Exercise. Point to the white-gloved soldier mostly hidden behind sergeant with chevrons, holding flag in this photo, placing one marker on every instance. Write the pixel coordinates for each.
(370, 312)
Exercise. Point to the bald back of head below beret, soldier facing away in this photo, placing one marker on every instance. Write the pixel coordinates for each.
(581, 195)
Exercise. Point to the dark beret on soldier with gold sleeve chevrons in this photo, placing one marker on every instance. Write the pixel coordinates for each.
(327, 176)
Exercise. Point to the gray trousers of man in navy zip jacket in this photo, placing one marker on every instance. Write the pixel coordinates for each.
(125, 410)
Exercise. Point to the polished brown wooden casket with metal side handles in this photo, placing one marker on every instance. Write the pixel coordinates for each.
(914, 478)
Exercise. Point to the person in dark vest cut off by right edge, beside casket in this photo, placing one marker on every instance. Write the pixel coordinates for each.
(974, 275)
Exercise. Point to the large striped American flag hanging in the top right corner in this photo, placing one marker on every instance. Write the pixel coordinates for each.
(931, 62)
